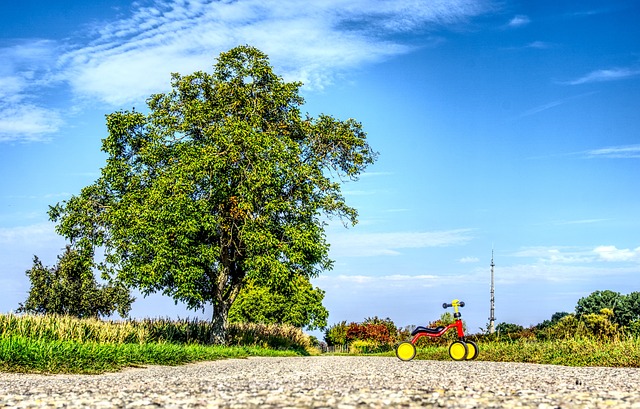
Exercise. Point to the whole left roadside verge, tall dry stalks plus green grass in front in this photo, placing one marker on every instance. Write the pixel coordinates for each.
(64, 344)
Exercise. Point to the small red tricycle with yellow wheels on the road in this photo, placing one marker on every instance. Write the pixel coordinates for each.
(459, 350)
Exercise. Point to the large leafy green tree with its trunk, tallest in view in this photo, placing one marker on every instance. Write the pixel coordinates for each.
(222, 181)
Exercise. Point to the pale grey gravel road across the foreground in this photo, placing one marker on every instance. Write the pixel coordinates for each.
(331, 382)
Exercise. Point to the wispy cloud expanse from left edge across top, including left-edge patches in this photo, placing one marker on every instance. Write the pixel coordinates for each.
(125, 61)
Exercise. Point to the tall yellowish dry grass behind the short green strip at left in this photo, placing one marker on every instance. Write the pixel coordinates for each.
(184, 331)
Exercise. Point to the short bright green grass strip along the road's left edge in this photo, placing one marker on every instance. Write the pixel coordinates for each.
(18, 354)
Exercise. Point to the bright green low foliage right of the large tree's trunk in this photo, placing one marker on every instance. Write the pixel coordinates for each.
(300, 305)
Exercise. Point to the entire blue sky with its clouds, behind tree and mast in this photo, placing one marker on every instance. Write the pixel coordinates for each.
(504, 125)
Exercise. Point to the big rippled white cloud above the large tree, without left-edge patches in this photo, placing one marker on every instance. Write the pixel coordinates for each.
(132, 58)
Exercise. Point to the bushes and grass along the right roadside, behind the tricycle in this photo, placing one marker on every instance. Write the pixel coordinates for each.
(603, 331)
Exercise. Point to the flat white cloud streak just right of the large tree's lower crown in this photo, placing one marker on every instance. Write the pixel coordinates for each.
(388, 244)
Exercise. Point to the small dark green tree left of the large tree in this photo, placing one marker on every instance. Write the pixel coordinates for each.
(69, 288)
